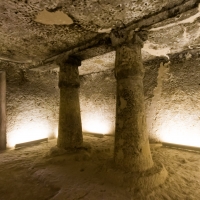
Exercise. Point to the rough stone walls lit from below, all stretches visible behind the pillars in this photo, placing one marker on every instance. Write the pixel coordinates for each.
(172, 95)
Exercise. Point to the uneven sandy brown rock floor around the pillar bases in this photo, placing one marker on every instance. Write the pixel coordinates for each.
(42, 172)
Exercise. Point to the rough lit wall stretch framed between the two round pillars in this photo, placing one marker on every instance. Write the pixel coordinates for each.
(97, 100)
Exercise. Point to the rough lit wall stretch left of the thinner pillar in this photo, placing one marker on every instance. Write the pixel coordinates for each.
(32, 103)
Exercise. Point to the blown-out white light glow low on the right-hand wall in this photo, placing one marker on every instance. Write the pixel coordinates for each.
(181, 129)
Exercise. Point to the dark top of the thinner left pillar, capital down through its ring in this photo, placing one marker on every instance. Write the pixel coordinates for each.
(69, 75)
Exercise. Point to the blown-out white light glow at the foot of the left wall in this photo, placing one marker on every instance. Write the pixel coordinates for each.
(30, 131)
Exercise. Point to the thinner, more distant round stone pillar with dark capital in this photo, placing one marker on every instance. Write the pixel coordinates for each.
(70, 128)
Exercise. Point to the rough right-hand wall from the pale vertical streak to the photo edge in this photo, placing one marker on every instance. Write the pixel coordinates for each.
(174, 110)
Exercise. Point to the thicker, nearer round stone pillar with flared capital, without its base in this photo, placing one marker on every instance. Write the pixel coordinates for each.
(132, 151)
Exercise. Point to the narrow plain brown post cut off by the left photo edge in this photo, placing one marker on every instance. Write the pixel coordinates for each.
(2, 110)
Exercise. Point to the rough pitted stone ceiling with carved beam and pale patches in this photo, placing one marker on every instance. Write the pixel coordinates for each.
(35, 30)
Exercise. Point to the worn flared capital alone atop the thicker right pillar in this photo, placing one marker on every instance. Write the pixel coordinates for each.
(128, 38)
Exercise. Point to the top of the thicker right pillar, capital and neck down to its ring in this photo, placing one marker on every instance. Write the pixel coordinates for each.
(128, 61)
